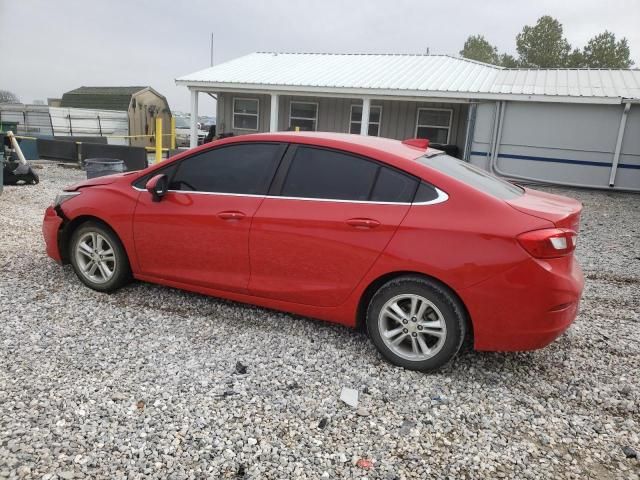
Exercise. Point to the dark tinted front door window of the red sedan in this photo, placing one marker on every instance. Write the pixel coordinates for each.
(246, 169)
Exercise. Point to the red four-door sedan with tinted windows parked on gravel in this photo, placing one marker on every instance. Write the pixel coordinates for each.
(421, 248)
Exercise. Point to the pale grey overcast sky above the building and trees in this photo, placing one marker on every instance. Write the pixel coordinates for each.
(52, 46)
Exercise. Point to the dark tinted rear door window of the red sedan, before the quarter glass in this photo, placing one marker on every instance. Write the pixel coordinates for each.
(317, 173)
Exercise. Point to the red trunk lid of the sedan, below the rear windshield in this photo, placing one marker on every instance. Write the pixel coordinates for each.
(564, 212)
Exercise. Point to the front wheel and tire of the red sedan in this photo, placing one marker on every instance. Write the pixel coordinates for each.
(105, 268)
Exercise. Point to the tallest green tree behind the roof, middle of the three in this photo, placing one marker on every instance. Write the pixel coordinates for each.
(543, 46)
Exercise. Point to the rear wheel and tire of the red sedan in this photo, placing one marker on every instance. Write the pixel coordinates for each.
(422, 334)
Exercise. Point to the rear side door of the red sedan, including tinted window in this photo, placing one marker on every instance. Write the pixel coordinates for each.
(329, 217)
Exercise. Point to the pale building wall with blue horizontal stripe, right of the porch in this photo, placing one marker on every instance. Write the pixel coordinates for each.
(571, 144)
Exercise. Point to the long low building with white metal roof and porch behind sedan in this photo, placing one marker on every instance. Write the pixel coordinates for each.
(576, 127)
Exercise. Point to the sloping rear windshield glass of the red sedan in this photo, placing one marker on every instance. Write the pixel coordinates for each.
(473, 176)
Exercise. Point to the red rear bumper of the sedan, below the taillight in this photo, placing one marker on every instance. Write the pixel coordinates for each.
(527, 307)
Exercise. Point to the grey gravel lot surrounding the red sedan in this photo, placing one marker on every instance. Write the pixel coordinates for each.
(143, 383)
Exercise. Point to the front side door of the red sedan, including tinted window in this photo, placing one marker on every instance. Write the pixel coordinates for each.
(199, 232)
